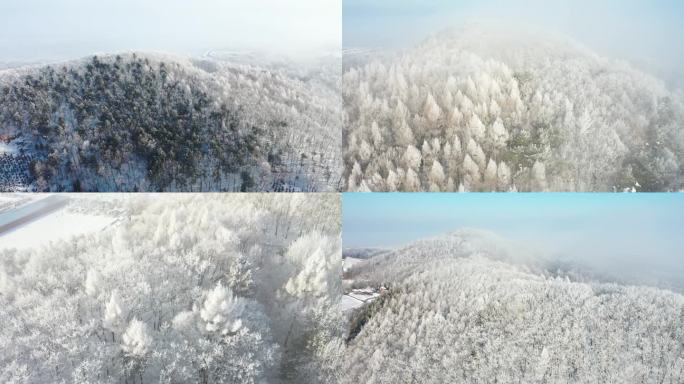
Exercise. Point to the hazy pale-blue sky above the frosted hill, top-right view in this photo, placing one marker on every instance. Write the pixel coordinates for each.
(646, 32)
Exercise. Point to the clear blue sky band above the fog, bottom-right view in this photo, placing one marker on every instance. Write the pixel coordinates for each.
(398, 218)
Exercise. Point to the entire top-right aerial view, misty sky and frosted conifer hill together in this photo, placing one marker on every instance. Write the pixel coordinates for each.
(489, 97)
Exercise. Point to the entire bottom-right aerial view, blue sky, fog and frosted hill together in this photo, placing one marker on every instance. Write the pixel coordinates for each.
(543, 288)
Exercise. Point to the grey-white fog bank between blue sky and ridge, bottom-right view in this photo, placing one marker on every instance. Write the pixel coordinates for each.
(628, 258)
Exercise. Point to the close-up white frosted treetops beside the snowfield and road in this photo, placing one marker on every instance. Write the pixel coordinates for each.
(230, 288)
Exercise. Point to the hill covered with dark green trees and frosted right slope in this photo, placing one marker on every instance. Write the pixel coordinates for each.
(155, 123)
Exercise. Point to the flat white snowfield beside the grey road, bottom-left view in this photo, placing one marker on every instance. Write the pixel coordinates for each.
(61, 224)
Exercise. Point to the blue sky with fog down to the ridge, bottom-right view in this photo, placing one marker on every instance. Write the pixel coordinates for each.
(633, 233)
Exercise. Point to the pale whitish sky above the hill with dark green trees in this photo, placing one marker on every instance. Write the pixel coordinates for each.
(62, 29)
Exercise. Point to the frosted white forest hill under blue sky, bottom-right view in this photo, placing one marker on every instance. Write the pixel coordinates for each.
(469, 307)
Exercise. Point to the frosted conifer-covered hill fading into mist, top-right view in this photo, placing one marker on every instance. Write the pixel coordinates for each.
(486, 108)
